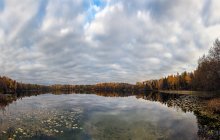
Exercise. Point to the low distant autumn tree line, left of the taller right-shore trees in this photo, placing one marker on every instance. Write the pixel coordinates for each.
(7, 85)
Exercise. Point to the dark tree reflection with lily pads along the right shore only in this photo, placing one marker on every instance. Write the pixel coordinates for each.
(208, 116)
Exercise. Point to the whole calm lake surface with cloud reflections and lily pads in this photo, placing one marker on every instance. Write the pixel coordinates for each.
(107, 116)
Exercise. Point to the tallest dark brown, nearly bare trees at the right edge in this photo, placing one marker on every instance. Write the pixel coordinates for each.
(207, 74)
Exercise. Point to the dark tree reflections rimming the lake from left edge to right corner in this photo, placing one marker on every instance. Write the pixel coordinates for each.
(205, 108)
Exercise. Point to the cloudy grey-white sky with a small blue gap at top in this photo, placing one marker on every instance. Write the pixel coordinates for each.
(93, 41)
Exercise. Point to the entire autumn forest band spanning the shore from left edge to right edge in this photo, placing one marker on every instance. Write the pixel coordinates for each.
(205, 77)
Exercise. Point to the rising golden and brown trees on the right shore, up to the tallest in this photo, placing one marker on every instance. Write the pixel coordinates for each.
(205, 77)
